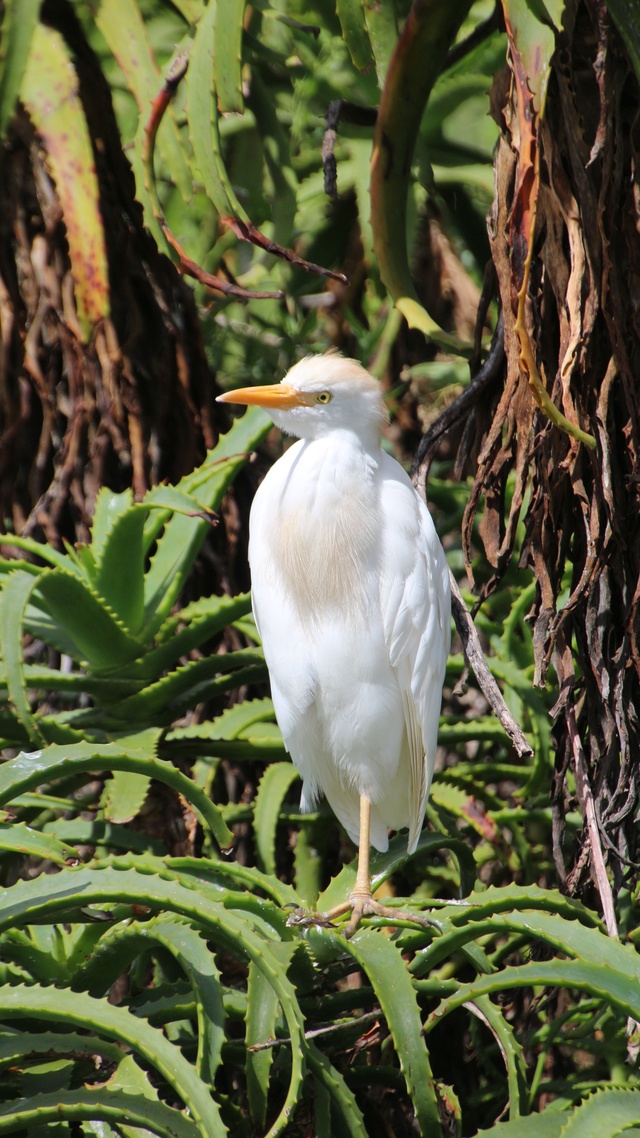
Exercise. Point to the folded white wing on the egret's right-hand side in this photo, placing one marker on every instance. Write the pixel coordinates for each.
(416, 614)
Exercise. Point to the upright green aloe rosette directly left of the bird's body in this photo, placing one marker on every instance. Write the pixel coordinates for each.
(109, 609)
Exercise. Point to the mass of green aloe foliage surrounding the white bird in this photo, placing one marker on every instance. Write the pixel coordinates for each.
(151, 980)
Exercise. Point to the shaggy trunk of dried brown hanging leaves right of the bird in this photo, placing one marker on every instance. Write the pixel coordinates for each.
(565, 432)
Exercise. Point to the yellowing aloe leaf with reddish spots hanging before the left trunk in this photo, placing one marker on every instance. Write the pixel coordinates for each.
(51, 94)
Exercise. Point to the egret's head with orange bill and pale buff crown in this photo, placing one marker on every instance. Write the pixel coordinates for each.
(319, 395)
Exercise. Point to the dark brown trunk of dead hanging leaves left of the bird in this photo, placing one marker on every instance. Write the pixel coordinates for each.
(135, 405)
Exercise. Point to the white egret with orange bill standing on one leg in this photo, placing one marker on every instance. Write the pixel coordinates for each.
(351, 598)
